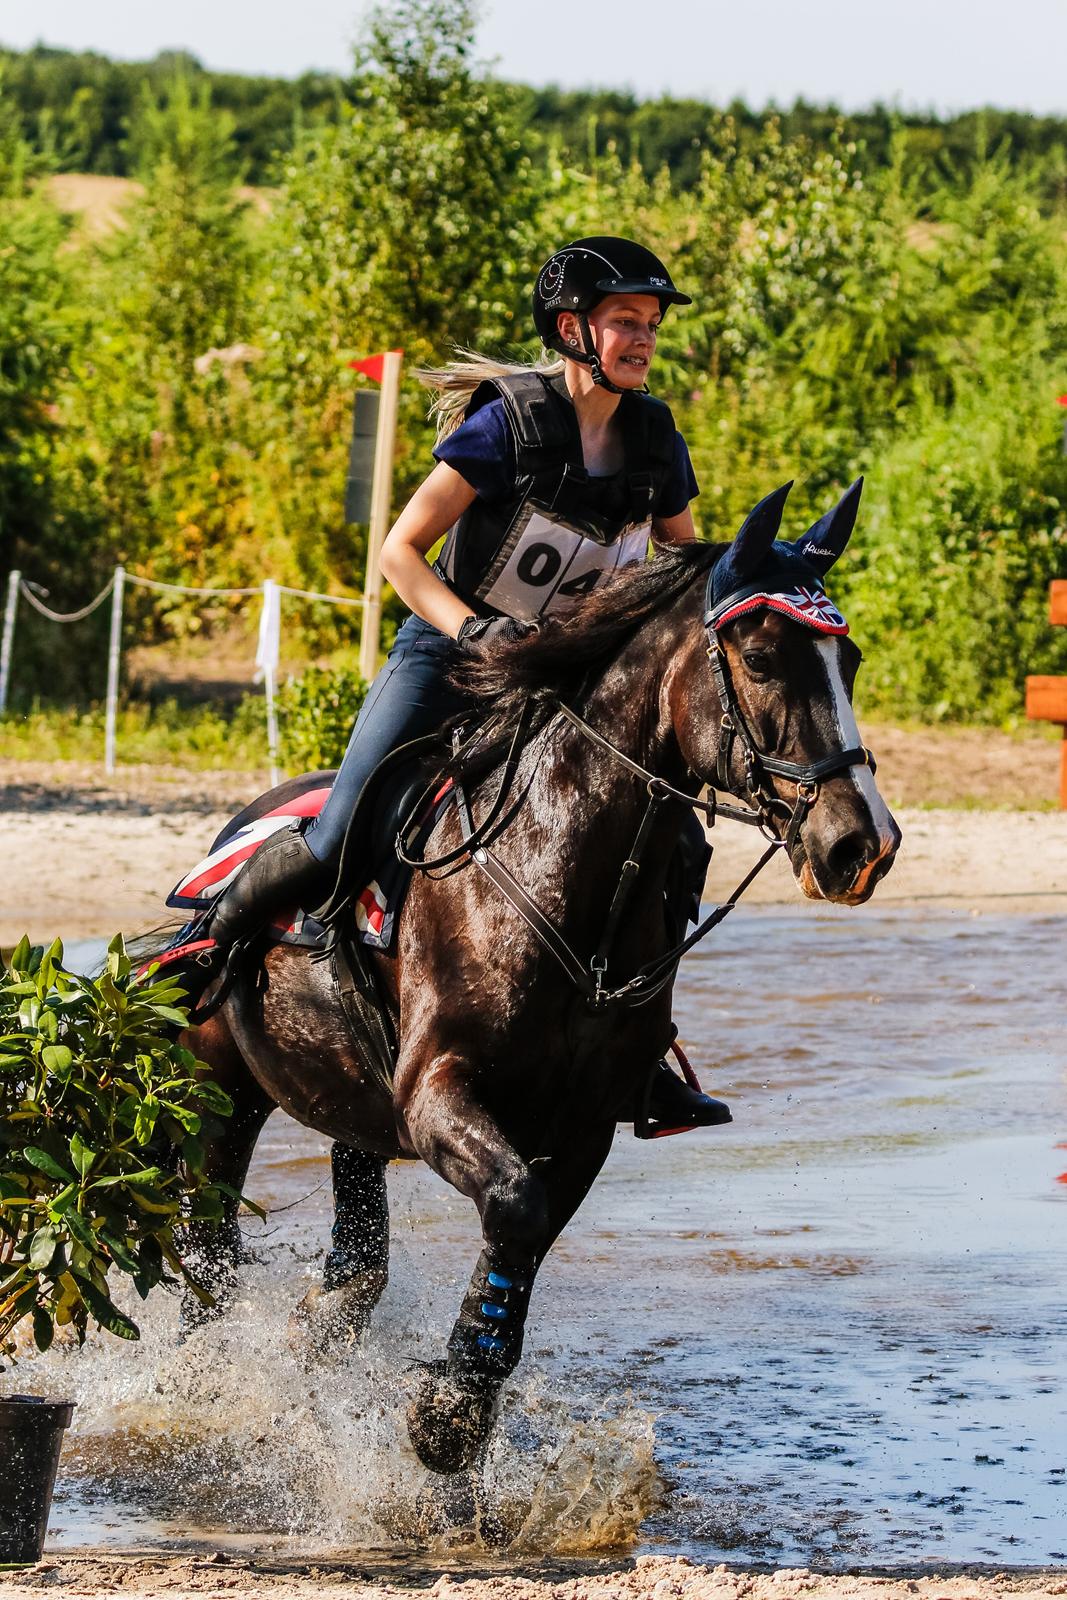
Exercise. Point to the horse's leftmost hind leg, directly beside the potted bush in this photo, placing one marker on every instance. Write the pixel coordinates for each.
(217, 1252)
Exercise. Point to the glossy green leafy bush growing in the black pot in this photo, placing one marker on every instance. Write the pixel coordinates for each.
(103, 1119)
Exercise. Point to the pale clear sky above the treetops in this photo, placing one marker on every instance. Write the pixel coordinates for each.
(938, 55)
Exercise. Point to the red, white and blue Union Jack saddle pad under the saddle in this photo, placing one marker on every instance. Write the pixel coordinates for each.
(302, 798)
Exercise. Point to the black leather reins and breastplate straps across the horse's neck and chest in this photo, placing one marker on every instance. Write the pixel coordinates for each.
(764, 806)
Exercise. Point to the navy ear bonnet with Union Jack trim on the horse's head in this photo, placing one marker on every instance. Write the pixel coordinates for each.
(761, 570)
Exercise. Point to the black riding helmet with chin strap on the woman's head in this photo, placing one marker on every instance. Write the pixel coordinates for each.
(581, 274)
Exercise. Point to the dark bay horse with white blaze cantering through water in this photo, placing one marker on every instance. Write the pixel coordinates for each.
(511, 1081)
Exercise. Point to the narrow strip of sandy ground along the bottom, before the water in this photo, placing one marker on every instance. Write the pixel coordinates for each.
(653, 1577)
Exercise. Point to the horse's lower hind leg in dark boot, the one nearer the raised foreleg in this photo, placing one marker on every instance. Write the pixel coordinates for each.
(358, 1268)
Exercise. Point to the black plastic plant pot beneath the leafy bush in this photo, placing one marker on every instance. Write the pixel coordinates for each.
(31, 1436)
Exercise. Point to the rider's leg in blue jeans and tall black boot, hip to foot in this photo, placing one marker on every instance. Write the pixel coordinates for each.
(410, 697)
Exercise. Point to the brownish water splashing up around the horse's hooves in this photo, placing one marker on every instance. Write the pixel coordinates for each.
(231, 1436)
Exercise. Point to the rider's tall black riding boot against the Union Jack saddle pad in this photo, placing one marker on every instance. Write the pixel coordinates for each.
(281, 876)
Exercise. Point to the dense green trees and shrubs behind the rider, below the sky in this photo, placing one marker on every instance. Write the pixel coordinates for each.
(871, 297)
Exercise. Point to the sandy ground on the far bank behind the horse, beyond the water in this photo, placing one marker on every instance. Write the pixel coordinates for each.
(87, 857)
